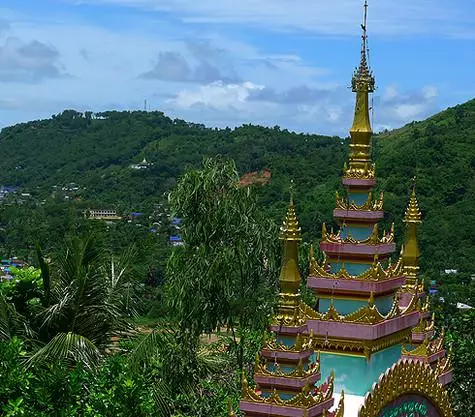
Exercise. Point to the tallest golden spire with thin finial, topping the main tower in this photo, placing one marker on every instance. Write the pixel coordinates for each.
(362, 84)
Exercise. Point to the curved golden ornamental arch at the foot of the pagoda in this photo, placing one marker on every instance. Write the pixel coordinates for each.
(406, 377)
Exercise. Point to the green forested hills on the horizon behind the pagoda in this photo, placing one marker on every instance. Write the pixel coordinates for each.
(96, 153)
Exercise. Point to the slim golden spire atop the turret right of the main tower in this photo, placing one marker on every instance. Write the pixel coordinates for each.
(410, 252)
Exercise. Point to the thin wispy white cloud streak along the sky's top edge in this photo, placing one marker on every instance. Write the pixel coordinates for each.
(388, 17)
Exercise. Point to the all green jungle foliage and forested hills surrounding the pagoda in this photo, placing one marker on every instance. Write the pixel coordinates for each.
(108, 324)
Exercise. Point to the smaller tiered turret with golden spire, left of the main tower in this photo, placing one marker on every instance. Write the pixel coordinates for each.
(287, 369)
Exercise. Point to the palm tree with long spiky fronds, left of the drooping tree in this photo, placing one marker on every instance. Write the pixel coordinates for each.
(87, 301)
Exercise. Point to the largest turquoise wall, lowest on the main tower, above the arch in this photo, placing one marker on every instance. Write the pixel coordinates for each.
(356, 375)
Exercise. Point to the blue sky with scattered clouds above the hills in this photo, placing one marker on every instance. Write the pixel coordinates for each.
(229, 62)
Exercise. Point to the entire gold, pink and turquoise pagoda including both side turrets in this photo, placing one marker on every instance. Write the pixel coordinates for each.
(371, 319)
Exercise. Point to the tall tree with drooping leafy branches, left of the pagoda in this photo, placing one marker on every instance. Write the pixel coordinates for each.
(225, 273)
